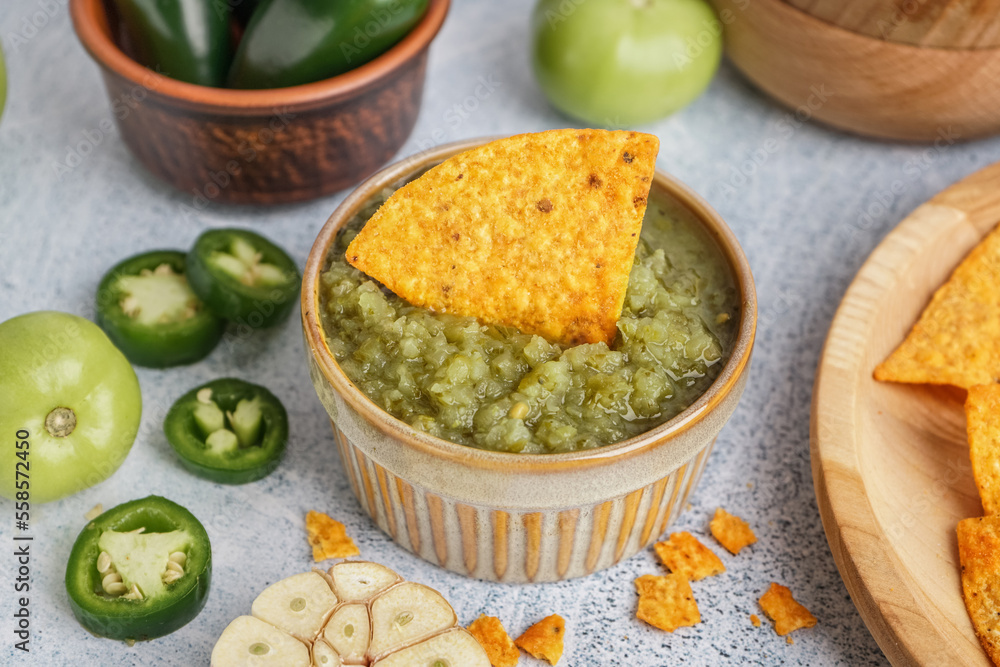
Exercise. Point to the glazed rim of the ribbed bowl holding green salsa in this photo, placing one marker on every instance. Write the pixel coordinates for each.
(402, 433)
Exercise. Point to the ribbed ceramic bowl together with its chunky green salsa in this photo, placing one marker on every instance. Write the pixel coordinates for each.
(504, 456)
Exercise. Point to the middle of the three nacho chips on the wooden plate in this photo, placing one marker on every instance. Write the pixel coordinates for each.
(982, 413)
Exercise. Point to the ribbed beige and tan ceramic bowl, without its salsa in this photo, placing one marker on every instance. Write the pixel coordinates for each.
(520, 518)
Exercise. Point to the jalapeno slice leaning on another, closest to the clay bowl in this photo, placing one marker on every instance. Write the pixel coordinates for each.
(243, 277)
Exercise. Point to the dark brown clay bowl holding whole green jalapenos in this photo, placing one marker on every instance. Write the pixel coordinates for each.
(262, 146)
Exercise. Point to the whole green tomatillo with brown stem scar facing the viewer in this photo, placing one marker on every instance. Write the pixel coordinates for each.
(71, 396)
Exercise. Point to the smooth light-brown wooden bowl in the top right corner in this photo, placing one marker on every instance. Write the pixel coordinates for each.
(861, 83)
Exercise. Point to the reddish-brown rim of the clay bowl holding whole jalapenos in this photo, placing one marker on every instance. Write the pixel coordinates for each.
(92, 29)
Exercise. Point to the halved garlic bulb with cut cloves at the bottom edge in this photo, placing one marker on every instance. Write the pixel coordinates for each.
(358, 613)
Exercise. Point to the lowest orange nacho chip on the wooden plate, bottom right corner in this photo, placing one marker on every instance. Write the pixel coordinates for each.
(979, 553)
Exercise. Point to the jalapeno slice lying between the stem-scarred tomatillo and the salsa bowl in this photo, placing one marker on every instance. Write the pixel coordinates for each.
(228, 431)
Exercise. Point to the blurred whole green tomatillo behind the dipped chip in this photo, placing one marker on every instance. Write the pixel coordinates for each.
(619, 63)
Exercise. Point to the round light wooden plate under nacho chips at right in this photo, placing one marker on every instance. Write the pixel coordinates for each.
(891, 462)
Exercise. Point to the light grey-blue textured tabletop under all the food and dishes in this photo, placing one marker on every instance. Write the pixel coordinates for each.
(800, 213)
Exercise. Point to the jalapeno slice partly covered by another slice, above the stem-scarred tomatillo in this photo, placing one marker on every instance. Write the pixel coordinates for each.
(149, 311)
